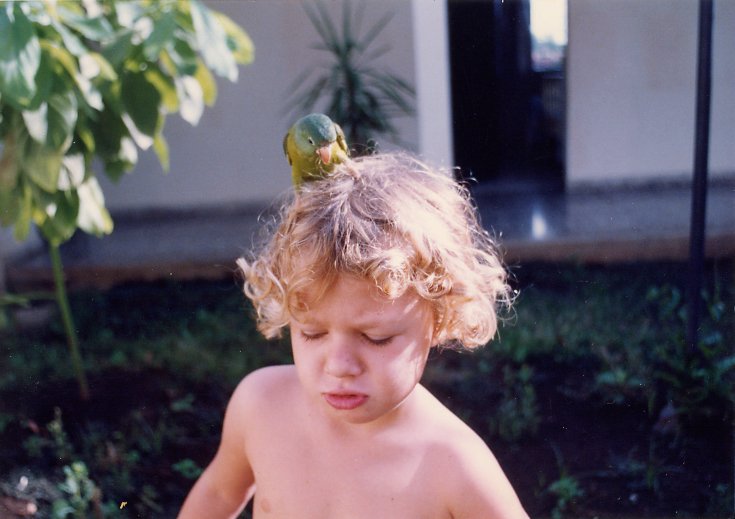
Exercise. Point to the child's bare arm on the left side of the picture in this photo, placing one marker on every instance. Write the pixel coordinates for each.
(227, 484)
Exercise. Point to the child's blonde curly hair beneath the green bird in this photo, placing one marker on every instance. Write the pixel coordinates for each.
(390, 219)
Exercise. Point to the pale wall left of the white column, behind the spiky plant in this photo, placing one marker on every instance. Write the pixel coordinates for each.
(234, 156)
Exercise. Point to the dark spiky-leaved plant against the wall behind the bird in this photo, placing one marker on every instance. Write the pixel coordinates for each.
(362, 98)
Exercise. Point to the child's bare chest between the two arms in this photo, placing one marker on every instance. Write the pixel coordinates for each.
(297, 478)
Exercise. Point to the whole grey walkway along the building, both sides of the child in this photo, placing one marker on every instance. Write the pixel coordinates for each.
(623, 225)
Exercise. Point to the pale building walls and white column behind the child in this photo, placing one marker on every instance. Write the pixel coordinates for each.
(629, 97)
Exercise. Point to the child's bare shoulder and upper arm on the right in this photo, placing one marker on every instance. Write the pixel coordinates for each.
(472, 481)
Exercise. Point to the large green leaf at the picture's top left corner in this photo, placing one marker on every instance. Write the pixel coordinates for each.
(20, 55)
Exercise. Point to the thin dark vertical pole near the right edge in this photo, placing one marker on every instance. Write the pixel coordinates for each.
(699, 185)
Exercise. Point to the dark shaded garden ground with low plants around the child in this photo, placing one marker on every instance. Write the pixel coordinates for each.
(589, 398)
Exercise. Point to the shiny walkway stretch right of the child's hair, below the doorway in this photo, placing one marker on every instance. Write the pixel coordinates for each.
(621, 225)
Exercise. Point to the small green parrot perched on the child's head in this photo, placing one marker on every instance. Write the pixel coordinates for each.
(313, 145)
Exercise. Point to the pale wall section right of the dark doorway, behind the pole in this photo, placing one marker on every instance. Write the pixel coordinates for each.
(631, 90)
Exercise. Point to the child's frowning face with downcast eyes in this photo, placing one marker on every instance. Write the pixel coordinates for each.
(359, 354)
